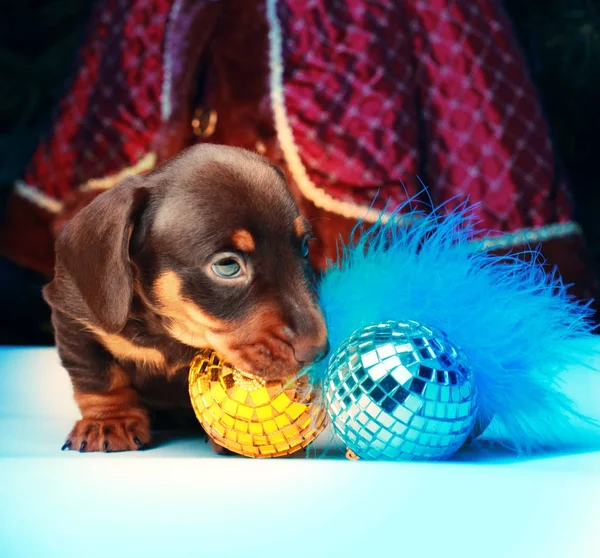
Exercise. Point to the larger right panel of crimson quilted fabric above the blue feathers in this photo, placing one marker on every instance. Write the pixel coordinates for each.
(380, 92)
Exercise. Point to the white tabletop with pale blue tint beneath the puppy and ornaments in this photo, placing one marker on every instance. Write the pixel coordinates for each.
(180, 500)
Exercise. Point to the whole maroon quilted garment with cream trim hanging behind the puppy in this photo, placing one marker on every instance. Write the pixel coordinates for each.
(359, 100)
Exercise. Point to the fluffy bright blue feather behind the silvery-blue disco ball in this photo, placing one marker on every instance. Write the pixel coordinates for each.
(515, 322)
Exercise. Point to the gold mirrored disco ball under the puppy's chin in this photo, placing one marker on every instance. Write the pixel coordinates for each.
(251, 416)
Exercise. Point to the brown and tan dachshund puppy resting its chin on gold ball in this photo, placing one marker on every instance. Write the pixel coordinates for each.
(207, 251)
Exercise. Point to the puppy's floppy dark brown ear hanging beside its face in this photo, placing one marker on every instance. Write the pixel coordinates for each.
(93, 252)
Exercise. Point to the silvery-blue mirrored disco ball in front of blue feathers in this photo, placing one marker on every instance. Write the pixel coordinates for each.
(401, 391)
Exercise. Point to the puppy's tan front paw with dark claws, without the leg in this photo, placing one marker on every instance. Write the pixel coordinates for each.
(109, 434)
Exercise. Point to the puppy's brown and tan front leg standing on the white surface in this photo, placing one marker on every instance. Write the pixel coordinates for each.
(112, 417)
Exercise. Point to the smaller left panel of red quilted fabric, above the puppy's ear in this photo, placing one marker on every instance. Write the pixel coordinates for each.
(110, 115)
